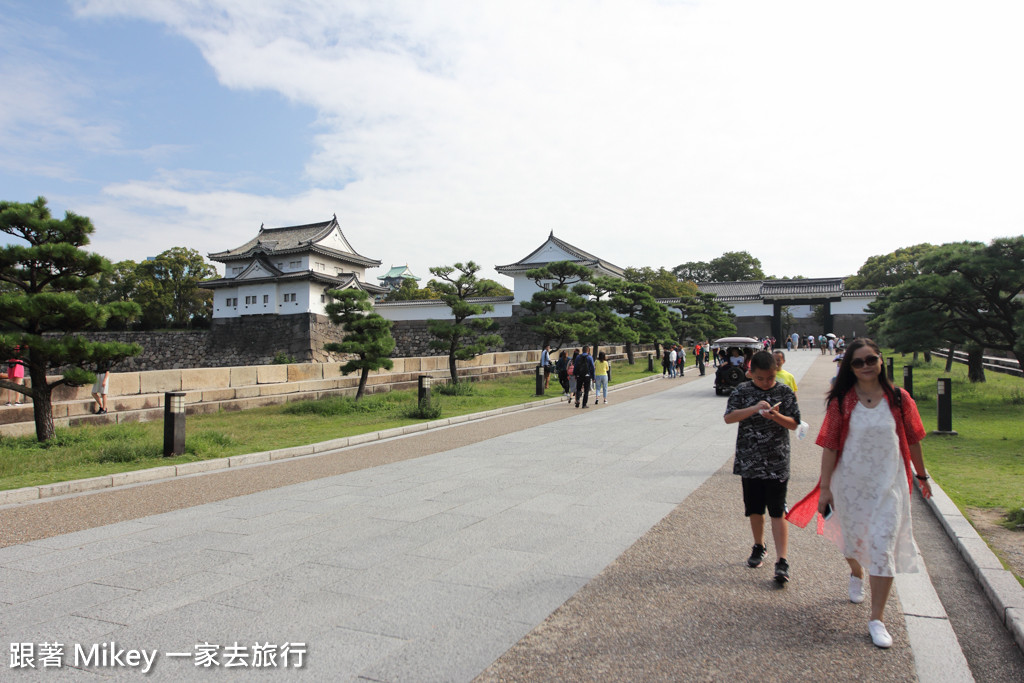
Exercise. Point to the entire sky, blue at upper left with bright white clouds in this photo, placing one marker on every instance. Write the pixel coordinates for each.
(812, 135)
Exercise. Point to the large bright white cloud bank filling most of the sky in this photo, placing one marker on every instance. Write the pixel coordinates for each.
(812, 135)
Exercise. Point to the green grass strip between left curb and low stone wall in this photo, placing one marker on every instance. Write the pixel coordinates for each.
(90, 451)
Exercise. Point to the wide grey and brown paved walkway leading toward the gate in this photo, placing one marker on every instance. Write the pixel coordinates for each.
(434, 566)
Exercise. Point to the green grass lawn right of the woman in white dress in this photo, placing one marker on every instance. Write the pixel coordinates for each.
(984, 466)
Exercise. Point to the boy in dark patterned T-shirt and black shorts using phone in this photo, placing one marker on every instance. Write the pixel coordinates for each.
(766, 411)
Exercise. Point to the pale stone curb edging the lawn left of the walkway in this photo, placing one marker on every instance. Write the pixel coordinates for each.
(31, 494)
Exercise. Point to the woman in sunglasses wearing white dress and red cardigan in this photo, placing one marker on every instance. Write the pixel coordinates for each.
(870, 439)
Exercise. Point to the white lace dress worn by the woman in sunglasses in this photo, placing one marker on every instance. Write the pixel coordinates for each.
(872, 499)
